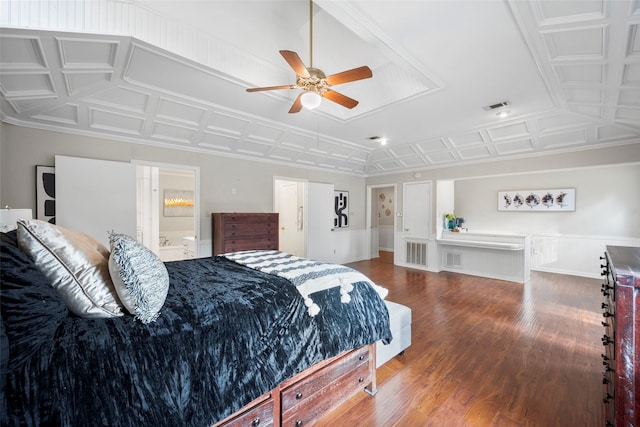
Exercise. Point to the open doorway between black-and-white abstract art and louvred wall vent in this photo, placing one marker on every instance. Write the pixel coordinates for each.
(381, 218)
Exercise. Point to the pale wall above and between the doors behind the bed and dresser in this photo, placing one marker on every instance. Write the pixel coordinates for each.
(227, 184)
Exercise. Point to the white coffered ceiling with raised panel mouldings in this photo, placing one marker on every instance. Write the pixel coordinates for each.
(175, 74)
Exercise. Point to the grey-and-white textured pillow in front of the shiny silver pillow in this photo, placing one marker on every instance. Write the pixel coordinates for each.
(140, 278)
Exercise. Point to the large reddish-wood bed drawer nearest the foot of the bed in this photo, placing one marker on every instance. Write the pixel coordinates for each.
(305, 401)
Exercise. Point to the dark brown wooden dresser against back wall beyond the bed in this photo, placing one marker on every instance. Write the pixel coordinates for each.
(232, 232)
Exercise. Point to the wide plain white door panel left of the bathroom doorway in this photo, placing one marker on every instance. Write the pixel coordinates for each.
(96, 196)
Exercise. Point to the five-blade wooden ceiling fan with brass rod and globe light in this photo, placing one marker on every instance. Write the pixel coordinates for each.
(315, 84)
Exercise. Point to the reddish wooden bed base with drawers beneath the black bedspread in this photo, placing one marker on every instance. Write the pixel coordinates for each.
(304, 398)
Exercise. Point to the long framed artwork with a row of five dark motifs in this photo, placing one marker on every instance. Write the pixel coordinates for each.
(557, 200)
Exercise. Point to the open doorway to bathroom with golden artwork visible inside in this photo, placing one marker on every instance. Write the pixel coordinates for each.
(168, 210)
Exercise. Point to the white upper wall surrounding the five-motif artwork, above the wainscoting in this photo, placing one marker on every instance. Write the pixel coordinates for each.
(607, 202)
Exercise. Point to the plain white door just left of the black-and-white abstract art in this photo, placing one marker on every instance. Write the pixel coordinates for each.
(319, 223)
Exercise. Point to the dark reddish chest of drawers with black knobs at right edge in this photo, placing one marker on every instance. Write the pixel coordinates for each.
(621, 340)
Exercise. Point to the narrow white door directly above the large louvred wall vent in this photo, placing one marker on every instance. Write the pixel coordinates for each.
(417, 210)
